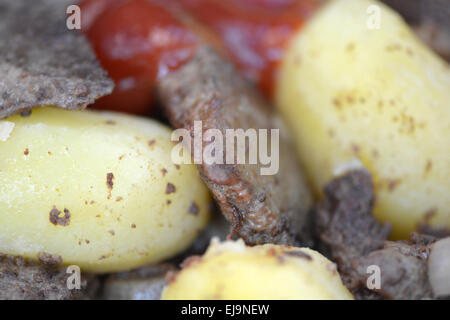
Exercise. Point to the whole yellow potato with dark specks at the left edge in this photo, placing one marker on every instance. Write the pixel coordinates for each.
(128, 204)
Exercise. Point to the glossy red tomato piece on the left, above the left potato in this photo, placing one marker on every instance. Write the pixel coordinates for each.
(136, 41)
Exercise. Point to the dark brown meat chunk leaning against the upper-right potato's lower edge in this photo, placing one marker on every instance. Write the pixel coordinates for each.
(345, 223)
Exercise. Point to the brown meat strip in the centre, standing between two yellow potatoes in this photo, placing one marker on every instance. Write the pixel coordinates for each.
(261, 208)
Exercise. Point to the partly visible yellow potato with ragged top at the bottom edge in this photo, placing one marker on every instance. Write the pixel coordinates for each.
(230, 270)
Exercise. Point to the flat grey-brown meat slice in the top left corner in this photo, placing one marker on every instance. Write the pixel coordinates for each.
(42, 62)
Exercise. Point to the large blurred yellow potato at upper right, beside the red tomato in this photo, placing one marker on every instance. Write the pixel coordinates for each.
(376, 95)
